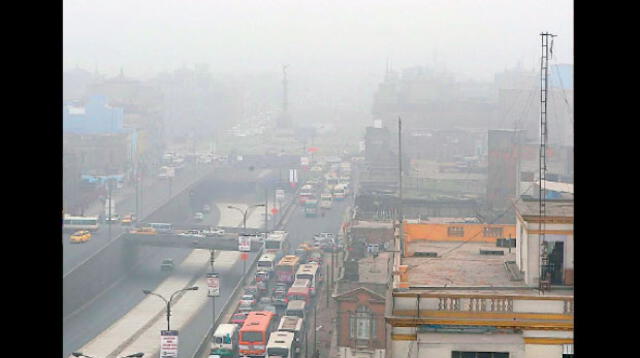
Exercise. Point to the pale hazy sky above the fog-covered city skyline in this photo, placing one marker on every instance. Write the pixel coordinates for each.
(317, 38)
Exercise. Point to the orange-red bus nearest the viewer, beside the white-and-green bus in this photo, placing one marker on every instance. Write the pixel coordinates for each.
(254, 333)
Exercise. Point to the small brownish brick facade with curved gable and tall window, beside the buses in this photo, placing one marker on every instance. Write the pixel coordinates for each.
(360, 324)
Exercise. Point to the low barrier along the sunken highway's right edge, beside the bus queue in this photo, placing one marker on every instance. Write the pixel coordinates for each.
(205, 344)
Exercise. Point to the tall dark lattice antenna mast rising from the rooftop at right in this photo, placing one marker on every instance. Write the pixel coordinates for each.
(544, 74)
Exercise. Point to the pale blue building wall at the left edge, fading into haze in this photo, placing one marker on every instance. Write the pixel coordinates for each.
(98, 118)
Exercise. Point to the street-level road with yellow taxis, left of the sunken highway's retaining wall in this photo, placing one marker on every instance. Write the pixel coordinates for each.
(154, 196)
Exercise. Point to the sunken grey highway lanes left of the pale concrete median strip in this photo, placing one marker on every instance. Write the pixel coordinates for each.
(99, 314)
